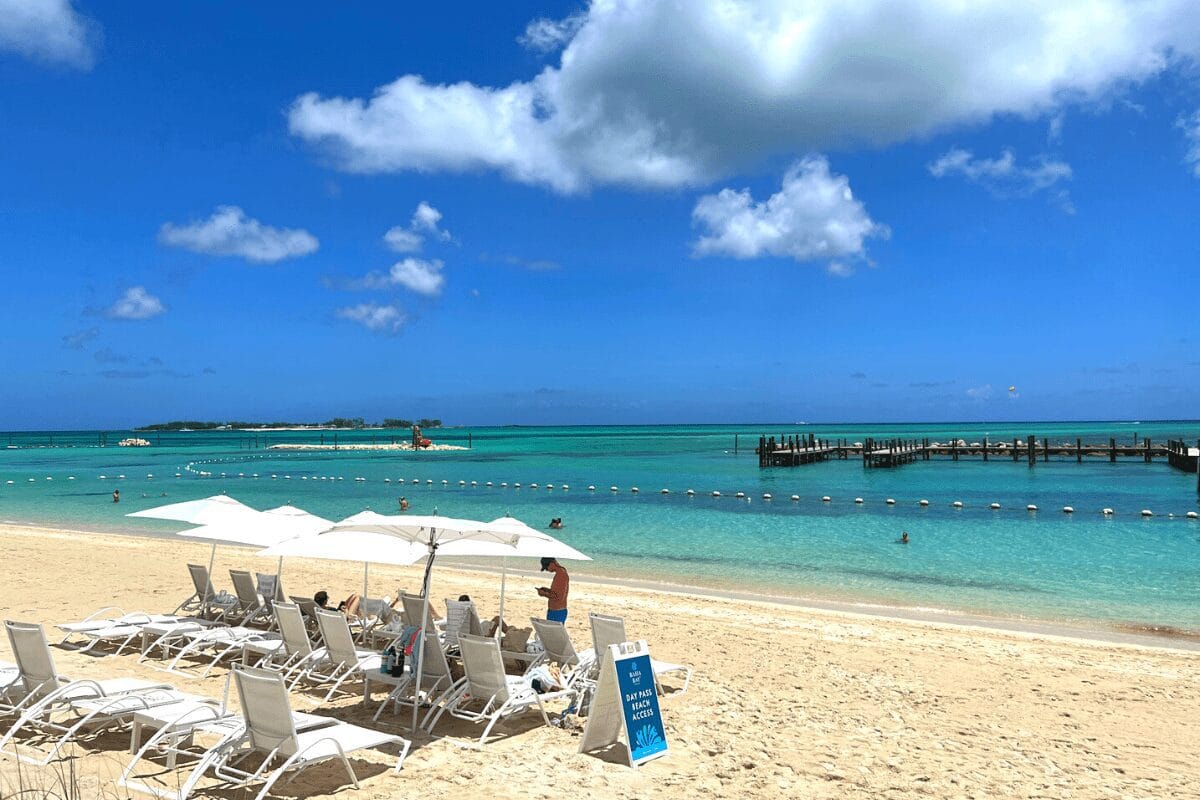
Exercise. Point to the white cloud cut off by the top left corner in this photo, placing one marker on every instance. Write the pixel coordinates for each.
(47, 31)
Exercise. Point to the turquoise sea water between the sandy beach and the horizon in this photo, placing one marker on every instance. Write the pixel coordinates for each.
(1079, 568)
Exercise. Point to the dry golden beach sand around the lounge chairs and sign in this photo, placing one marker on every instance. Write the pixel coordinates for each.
(787, 702)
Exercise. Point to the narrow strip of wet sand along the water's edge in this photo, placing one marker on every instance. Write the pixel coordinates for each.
(1097, 634)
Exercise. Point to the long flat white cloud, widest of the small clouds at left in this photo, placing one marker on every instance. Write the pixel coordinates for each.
(230, 232)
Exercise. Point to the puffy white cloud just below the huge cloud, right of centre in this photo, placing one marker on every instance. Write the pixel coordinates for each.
(813, 218)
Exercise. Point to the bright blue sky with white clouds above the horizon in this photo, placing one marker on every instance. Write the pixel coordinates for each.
(566, 213)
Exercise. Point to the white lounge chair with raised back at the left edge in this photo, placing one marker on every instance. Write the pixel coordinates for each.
(57, 708)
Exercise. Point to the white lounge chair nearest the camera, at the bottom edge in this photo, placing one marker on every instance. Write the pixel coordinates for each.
(286, 743)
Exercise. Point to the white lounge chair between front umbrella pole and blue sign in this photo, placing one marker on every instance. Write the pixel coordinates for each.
(487, 695)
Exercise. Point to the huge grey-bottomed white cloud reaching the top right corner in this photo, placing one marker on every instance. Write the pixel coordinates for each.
(665, 94)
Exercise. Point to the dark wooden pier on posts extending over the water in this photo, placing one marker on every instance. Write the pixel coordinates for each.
(807, 449)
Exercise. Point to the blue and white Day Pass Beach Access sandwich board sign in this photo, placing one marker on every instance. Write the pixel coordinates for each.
(627, 702)
